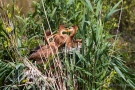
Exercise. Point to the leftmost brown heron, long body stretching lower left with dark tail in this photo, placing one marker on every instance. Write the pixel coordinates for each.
(44, 51)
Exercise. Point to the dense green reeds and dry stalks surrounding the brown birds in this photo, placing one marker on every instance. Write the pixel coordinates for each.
(99, 65)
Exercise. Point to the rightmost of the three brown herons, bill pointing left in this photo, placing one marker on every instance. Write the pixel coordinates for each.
(71, 42)
